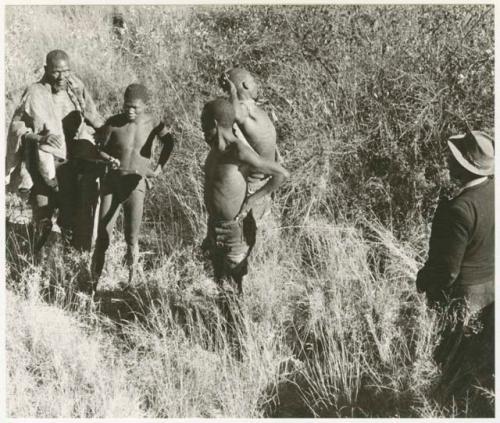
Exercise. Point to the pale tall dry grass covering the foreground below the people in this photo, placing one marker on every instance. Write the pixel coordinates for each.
(334, 337)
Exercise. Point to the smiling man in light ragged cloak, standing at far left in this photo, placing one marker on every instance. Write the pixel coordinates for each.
(56, 120)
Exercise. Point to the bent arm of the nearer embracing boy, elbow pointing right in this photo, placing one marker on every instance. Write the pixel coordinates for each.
(278, 174)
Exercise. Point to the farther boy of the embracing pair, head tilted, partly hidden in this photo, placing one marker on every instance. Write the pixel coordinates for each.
(255, 125)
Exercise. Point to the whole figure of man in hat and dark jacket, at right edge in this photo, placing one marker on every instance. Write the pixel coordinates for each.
(458, 276)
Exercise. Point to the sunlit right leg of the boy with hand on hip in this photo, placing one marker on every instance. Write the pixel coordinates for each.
(133, 210)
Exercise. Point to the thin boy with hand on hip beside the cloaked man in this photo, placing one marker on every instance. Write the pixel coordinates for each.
(126, 142)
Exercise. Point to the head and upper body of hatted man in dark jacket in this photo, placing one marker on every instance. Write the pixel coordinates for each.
(461, 261)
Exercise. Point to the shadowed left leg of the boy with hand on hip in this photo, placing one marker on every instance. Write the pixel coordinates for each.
(110, 207)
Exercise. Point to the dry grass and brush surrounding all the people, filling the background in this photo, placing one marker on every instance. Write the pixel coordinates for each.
(364, 97)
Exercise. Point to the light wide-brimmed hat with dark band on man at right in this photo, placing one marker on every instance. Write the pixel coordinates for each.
(474, 151)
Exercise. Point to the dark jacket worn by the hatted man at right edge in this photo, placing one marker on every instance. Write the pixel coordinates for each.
(462, 243)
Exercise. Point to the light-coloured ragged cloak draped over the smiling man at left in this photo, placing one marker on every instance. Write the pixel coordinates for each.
(36, 114)
